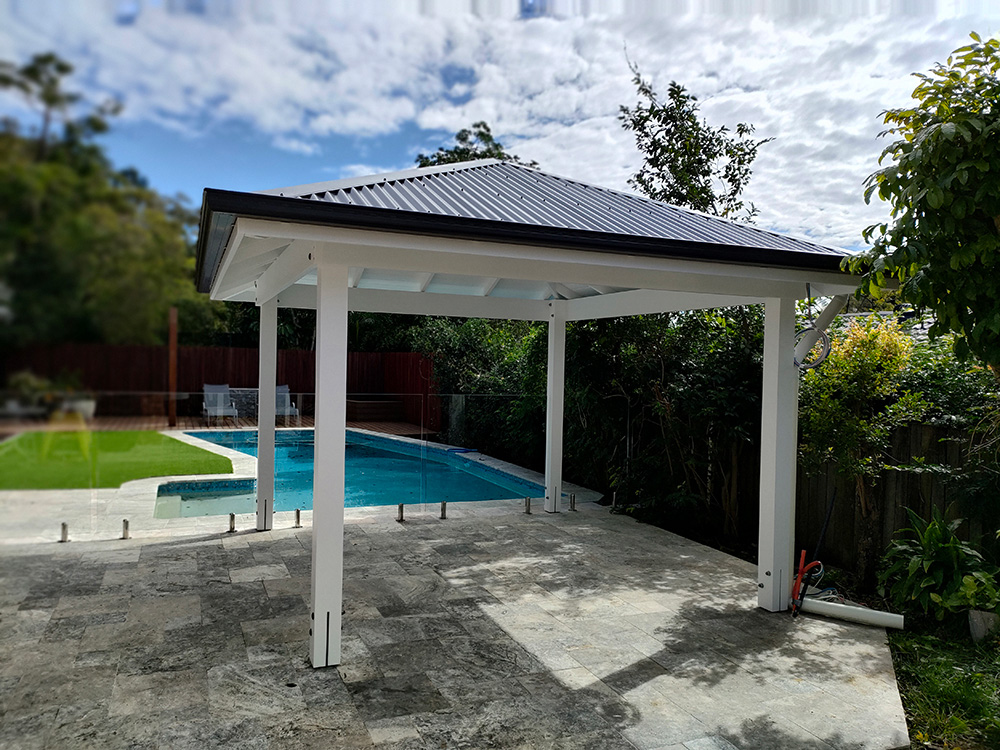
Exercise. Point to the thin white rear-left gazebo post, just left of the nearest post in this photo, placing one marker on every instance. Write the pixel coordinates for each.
(268, 361)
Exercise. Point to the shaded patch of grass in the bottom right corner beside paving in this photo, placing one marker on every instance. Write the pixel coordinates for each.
(950, 688)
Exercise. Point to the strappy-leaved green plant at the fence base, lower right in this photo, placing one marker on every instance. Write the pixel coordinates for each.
(932, 571)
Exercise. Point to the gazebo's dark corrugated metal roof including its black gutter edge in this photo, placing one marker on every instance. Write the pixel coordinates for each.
(499, 201)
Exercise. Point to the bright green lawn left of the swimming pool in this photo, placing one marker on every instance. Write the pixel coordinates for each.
(80, 460)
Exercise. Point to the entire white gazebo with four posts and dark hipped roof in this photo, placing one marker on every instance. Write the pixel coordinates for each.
(492, 239)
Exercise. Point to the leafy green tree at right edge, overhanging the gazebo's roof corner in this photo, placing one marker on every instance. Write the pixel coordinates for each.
(942, 244)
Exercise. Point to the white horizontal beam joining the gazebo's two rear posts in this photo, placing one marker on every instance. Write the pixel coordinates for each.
(303, 296)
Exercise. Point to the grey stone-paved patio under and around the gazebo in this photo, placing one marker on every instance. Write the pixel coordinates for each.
(489, 629)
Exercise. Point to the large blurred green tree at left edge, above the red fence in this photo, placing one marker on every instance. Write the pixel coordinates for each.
(88, 253)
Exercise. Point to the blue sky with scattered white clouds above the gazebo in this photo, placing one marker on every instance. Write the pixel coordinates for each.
(257, 94)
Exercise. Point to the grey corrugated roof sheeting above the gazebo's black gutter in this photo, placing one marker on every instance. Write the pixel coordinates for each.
(501, 191)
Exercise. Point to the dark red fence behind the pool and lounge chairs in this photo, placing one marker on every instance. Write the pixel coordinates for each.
(137, 369)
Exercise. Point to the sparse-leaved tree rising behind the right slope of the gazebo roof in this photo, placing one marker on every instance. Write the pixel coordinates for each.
(686, 161)
